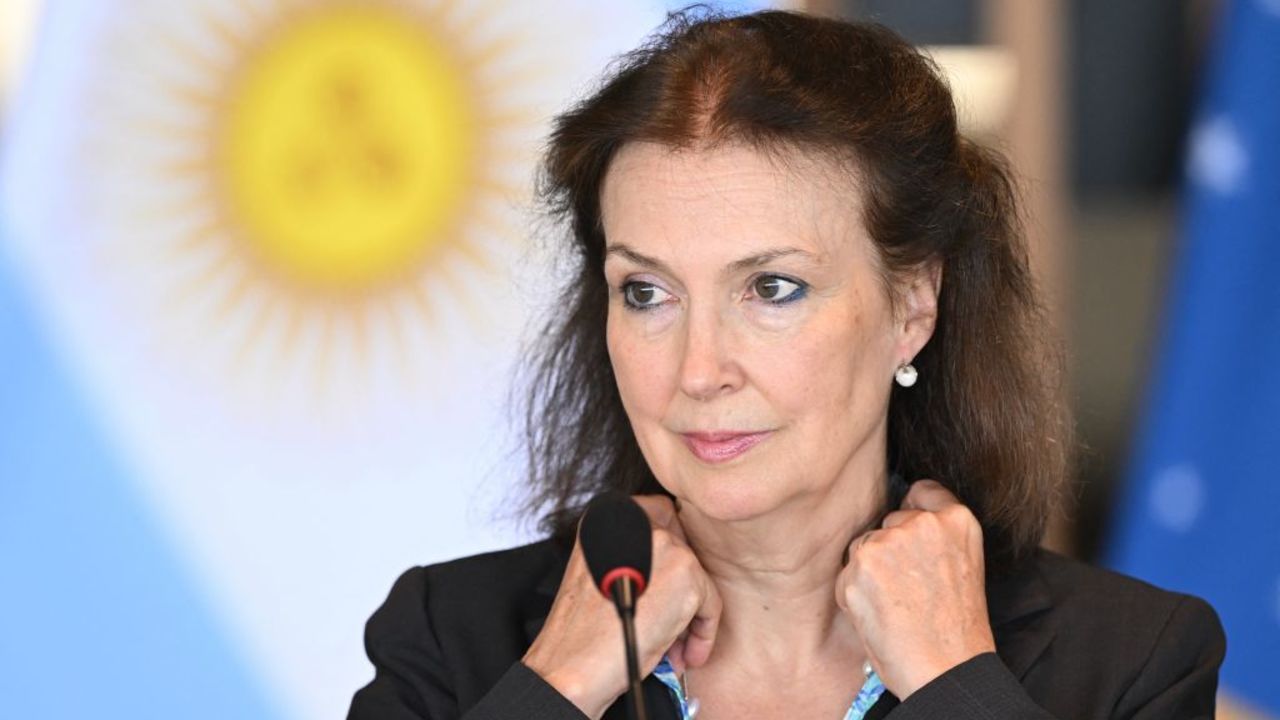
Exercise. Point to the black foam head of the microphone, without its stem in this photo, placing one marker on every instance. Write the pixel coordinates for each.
(618, 543)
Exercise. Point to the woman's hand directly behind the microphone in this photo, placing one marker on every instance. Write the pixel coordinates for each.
(580, 651)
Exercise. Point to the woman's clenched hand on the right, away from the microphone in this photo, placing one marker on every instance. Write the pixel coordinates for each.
(916, 590)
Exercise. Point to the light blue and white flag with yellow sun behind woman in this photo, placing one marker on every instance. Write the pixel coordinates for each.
(266, 268)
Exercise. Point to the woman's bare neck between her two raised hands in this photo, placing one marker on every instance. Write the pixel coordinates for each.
(778, 573)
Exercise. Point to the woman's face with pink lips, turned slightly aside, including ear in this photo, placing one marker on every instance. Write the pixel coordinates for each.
(751, 335)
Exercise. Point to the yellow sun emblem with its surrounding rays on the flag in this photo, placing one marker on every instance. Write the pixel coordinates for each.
(319, 194)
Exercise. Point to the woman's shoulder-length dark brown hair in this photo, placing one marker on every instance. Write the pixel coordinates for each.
(985, 418)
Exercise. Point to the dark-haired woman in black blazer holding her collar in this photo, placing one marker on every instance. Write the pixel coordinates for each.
(798, 286)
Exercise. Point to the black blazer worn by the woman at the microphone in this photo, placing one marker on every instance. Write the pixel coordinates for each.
(1073, 642)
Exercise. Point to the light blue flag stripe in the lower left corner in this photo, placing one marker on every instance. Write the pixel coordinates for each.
(98, 617)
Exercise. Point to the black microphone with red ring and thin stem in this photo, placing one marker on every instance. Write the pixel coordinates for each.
(618, 544)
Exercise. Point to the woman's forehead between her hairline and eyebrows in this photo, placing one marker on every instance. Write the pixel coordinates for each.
(732, 192)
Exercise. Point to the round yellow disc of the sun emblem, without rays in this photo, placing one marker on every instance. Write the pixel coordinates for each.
(348, 148)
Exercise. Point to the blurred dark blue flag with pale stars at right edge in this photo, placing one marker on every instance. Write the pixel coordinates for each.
(1203, 511)
